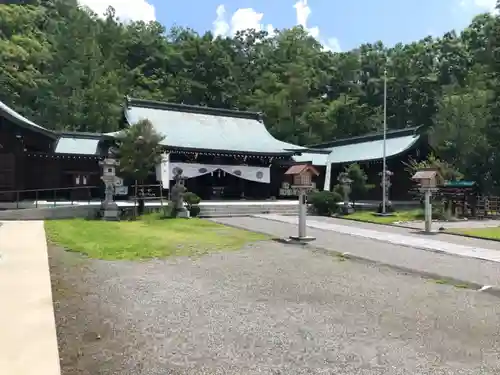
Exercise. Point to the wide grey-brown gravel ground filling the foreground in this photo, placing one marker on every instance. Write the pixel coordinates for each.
(267, 309)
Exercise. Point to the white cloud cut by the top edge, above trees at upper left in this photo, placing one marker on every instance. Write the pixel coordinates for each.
(126, 10)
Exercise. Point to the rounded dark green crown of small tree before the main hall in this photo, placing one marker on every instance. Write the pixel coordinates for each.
(140, 150)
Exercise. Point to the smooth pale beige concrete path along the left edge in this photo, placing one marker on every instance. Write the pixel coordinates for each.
(28, 341)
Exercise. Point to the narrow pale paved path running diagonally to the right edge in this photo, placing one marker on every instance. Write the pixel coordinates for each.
(423, 242)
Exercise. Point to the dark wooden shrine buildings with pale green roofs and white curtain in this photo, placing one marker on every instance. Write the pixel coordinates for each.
(224, 154)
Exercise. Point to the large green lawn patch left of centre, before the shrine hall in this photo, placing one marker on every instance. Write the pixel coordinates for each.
(149, 237)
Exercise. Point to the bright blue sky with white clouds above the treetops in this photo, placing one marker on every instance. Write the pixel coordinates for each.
(335, 23)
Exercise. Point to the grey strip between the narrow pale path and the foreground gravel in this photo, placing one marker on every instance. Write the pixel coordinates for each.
(472, 271)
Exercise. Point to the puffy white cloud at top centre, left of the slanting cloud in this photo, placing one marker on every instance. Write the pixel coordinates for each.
(242, 19)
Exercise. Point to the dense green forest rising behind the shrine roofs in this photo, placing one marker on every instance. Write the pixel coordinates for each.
(67, 68)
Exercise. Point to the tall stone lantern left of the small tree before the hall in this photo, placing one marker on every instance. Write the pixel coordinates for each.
(109, 208)
